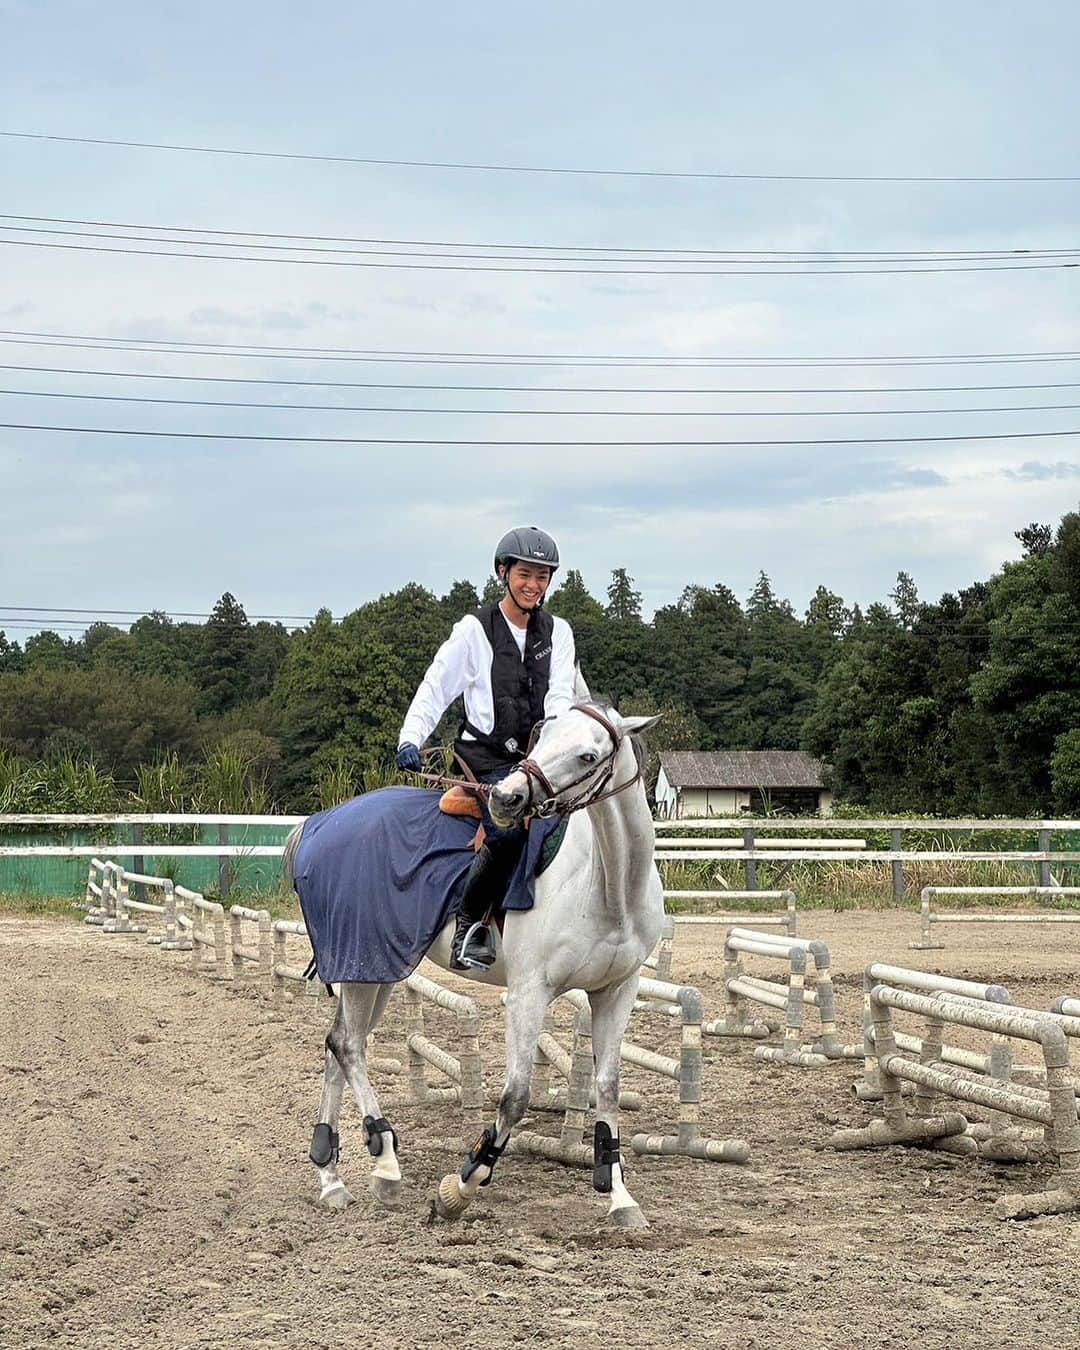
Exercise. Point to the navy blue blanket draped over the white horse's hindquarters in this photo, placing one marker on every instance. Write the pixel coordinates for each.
(379, 878)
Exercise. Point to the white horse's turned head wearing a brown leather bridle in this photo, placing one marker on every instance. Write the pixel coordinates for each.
(572, 765)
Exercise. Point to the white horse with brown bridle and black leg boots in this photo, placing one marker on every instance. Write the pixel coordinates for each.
(597, 917)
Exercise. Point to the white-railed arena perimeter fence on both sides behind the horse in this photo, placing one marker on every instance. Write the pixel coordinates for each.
(227, 855)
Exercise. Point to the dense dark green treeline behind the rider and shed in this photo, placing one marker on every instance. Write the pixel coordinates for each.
(970, 705)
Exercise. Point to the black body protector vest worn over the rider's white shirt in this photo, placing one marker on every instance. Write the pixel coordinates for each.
(519, 689)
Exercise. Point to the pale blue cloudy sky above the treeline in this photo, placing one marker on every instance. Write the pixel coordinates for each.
(105, 522)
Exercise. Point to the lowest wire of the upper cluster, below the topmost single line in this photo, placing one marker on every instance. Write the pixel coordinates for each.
(542, 272)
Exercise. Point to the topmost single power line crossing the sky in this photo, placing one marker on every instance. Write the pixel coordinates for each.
(541, 169)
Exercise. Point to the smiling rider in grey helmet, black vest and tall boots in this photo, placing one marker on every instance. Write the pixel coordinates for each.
(515, 665)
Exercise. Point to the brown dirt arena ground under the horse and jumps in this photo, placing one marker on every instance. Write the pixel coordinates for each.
(155, 1189)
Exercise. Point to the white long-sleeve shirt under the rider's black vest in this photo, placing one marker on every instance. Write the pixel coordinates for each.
(464, 666)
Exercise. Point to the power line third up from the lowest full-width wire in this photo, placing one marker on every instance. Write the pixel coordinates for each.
(529, 389)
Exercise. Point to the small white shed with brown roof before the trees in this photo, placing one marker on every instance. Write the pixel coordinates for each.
(734, 782)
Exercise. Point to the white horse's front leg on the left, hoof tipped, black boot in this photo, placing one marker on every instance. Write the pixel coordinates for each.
(524, 1023)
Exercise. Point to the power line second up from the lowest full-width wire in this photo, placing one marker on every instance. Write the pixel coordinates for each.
(542, 412)
